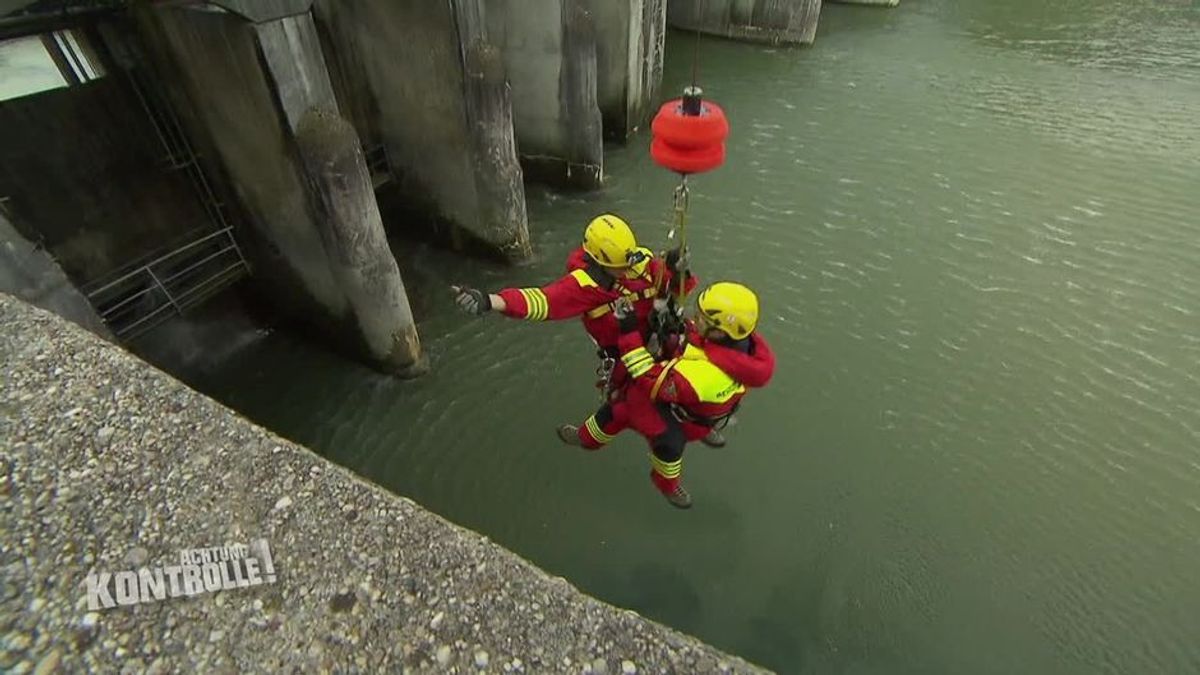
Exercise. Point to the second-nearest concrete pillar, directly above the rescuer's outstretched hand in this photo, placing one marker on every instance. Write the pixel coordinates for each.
(400, 71)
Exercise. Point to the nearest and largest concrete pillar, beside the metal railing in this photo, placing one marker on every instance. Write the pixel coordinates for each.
(245, 85)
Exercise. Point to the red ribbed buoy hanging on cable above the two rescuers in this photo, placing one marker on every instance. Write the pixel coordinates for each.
(689, 135)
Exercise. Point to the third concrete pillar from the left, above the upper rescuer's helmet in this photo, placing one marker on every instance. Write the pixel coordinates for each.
(549, 50)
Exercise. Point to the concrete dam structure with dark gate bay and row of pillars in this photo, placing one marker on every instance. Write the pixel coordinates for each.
(451, 107)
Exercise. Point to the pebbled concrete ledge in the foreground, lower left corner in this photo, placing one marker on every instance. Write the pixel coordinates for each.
(106, 464)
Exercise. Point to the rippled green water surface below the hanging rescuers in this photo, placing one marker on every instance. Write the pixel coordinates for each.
(974, 225)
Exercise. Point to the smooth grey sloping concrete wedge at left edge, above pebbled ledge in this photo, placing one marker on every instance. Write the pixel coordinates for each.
(34, 277)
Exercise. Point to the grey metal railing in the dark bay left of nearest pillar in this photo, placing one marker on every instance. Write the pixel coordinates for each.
(169, 285)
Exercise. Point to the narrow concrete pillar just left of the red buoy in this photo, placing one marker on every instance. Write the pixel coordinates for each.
(629, 62)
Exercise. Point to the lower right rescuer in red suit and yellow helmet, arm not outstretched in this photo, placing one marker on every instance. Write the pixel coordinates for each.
(686, 398)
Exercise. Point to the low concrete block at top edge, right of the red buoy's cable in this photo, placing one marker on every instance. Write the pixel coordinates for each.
(776, 22)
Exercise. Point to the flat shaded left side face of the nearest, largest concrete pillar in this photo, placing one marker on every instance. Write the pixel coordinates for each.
(225, 97)
